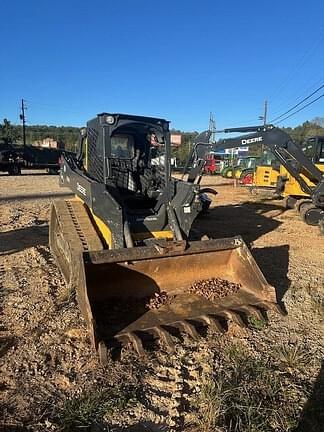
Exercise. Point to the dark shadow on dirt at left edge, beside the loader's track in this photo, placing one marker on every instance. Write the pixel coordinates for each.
(17, 240)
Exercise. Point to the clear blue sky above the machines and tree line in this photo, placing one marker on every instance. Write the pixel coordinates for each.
(179, 60)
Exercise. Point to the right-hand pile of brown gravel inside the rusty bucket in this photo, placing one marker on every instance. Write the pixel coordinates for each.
(214, 288)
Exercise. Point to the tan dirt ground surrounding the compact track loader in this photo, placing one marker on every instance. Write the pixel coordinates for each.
(51, 380)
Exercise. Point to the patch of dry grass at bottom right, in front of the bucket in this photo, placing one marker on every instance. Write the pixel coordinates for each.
(246, 394)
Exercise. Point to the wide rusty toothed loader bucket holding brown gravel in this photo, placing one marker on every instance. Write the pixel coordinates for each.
(131, 295)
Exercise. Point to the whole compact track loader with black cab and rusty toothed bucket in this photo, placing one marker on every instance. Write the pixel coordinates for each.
(123, 243)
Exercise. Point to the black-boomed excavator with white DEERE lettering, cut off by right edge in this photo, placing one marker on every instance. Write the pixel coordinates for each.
(295, 162)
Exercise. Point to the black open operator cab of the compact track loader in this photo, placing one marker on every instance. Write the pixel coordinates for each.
(129, 155)
